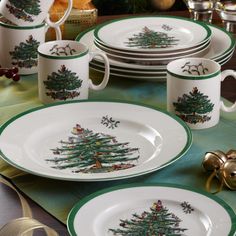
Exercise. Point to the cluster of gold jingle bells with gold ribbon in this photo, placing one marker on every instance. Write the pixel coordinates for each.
(223, 167)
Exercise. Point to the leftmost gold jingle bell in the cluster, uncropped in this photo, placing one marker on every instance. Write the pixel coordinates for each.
(214, 160)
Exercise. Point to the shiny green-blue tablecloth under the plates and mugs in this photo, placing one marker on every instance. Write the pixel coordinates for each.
(58, 197)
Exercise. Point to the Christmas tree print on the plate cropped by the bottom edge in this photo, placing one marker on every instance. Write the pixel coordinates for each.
(159, 221)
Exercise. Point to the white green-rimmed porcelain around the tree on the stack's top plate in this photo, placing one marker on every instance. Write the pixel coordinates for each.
(187, 33)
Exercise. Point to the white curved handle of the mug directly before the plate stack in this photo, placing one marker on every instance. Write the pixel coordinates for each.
(104, 82)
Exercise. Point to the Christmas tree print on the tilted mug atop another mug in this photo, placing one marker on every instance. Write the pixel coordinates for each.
(24, 9)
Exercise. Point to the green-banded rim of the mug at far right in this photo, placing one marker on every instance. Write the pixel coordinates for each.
(193, 77)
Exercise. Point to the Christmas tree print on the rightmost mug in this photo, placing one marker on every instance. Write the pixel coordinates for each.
(193, 107)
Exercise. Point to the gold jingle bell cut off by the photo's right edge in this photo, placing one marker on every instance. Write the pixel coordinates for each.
(228, 173)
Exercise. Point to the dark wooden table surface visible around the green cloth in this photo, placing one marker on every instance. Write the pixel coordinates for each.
(10, 207)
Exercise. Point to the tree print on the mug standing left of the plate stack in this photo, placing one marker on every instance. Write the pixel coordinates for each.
(63, 84)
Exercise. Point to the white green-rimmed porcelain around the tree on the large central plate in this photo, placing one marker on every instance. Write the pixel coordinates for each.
(26, 140)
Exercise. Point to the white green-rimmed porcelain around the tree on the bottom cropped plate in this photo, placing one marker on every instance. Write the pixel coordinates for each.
(103, 211)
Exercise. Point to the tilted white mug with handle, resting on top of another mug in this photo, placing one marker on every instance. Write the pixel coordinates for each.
(30, 12)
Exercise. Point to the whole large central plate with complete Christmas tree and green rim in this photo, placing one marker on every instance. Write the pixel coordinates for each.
(93, 140)
